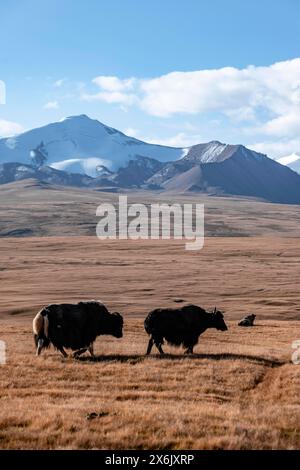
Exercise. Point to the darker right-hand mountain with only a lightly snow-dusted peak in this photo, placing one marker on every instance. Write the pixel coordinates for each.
(216, 168)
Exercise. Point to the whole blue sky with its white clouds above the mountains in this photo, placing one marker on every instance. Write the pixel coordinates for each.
(172, 71)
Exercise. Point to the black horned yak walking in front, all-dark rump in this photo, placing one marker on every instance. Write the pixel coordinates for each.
(180, 326)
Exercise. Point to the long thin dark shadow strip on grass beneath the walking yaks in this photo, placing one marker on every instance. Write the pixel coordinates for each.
(137, 358)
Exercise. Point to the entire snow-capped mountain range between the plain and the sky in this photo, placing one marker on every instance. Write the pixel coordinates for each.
(79, 151)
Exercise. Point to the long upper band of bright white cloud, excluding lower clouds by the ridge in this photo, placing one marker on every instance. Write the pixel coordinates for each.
(237, 93)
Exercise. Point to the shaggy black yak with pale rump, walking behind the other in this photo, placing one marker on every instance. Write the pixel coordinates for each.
(74, 326)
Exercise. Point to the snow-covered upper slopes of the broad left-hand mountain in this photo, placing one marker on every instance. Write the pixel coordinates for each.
(78, 144)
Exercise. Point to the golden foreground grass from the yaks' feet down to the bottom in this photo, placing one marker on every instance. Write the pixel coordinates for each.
(239, 391)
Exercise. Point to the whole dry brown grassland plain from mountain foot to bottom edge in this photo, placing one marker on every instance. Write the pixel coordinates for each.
(240, 390)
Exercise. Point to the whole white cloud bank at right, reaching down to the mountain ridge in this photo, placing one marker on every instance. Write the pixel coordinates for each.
(264, 102)
